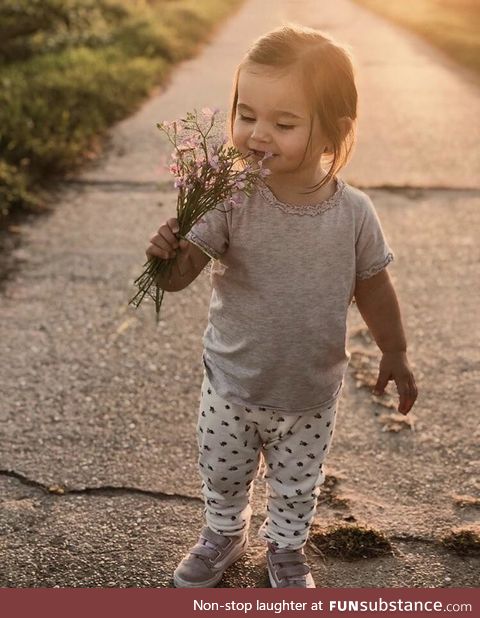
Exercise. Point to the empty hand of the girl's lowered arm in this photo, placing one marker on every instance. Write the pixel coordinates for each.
(394, 366)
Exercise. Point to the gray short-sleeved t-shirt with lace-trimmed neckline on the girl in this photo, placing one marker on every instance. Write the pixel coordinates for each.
(283, 278)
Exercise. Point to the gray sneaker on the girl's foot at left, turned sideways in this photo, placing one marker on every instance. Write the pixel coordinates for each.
(205, 564)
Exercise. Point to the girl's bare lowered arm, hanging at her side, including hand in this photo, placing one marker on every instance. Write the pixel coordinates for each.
(377, 302)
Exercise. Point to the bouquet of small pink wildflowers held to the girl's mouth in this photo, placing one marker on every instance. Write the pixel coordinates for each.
(207, 172)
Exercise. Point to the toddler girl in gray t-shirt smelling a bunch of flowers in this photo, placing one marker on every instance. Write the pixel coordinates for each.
(287, 263)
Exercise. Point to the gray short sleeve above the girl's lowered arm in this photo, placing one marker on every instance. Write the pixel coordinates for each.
(372, 252)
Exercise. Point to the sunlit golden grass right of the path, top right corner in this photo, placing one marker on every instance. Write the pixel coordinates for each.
(451, 25)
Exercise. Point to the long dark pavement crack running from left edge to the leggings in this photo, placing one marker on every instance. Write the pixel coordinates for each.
(104, 490)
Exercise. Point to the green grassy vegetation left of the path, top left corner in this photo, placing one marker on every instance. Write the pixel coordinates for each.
(71, 68)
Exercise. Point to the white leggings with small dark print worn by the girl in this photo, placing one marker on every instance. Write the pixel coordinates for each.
(231, 439)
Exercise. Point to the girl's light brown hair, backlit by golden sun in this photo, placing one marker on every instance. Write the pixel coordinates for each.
(327, 73)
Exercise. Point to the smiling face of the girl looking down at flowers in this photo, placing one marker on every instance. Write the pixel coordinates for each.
(273, 115)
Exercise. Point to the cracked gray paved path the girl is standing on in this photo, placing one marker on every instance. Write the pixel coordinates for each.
(97, 456)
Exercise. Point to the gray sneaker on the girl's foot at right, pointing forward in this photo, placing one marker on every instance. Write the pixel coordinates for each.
(288, 568)
